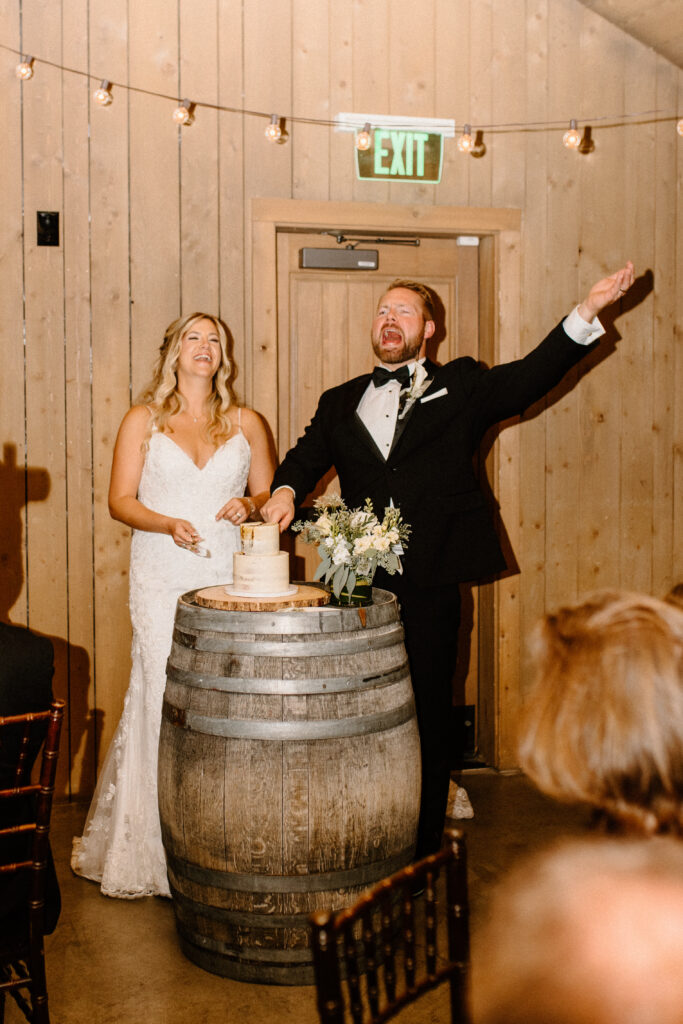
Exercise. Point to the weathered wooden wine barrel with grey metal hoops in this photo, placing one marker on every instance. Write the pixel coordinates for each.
(289, 776)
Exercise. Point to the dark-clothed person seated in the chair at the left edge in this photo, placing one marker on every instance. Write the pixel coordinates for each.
(26, 686)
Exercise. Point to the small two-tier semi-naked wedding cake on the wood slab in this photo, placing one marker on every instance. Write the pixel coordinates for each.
(261, 569)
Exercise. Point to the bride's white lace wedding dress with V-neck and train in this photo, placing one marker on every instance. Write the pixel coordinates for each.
(121, 845)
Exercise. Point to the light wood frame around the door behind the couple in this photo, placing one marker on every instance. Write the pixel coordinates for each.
(500, 284)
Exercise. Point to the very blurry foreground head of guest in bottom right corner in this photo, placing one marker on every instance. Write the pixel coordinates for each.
(588, 933)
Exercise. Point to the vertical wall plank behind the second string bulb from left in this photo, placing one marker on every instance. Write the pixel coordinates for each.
(110, 210)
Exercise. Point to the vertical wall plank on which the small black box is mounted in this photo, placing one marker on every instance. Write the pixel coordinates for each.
(47, 517)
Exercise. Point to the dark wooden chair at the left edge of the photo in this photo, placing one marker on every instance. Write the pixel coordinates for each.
(25, 822)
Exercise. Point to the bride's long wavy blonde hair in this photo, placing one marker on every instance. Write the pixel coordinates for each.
(161, 395)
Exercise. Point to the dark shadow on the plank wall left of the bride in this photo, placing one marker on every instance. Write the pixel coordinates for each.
(19, 486)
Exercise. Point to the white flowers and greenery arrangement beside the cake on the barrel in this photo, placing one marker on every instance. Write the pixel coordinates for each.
(353, 543)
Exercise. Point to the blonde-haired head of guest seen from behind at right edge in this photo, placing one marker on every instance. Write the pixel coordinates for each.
(604, 724)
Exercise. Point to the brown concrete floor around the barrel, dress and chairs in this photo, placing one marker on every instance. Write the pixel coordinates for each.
(116, 961)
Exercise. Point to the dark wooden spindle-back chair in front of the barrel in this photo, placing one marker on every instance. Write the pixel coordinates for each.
(373, 947)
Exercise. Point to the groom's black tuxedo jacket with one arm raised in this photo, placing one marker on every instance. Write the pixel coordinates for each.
(430, 473)
